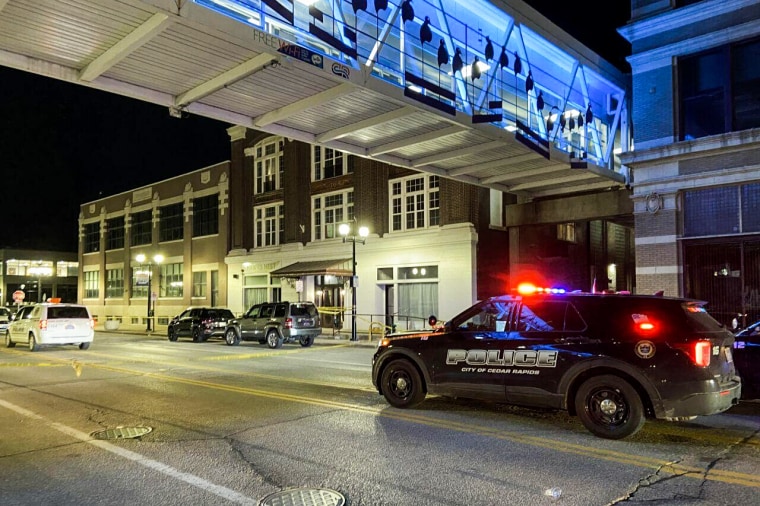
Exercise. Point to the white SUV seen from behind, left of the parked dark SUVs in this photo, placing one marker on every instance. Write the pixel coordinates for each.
(51, 324)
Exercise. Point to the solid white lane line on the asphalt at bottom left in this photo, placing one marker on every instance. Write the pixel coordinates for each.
(190, 479)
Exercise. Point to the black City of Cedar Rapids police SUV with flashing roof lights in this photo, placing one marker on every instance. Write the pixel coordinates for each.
(611, 359)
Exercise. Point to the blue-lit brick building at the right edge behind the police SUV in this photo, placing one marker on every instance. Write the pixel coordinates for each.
(696, 163)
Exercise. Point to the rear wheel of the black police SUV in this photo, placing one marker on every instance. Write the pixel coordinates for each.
(609, 407)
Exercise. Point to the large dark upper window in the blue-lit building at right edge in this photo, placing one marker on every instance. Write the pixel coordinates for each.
(720, 90)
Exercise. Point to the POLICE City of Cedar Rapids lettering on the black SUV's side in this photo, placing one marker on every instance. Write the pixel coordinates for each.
(505, 358)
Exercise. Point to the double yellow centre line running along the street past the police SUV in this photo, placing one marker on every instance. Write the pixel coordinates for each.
(744, 479)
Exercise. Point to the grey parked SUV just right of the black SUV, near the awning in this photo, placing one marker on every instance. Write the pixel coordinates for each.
(274, 323)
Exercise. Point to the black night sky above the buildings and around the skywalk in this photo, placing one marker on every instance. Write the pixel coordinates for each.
(63, 144)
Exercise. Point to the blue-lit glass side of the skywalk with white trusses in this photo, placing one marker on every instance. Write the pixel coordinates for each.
(570, 91)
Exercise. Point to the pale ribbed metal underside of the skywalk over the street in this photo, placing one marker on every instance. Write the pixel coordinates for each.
(191, 59)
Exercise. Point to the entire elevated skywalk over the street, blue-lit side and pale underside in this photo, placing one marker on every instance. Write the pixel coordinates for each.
(516, 105)
